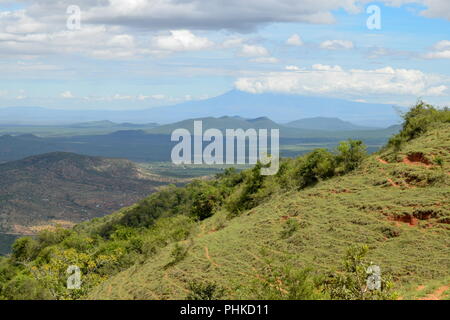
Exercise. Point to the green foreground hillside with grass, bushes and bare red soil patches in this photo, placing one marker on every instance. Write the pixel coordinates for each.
(244, 235)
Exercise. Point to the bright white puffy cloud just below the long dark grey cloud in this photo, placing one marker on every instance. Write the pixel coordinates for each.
(182, 40)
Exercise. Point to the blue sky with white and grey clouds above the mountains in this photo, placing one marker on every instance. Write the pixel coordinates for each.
(134, 54)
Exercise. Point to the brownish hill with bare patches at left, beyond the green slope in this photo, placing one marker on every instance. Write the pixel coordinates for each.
(66, 188)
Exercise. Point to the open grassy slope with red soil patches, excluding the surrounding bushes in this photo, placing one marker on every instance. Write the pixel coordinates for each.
(360, 207)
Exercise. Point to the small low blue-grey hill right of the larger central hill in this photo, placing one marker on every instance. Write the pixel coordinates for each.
(327, 124)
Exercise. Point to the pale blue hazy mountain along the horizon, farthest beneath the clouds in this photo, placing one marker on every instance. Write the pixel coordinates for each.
(281, 108)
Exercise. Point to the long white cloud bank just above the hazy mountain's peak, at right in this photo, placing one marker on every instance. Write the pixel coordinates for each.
(334, 80)
